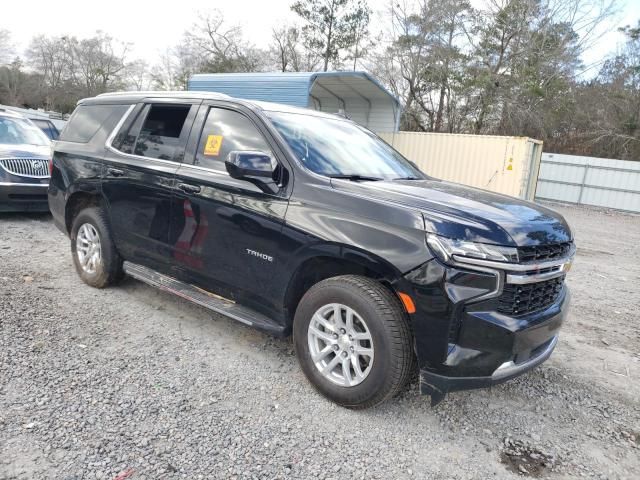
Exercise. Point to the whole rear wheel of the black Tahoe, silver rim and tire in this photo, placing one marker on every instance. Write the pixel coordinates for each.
(94, 254)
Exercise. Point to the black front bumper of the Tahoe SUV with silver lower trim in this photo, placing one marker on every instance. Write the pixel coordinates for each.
(462, 341)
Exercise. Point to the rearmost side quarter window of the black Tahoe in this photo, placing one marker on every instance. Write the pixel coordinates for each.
(87, 120)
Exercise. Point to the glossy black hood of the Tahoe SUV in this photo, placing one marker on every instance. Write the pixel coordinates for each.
(457, 211)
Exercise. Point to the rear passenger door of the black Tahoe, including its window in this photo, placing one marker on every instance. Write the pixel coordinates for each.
(138, 177)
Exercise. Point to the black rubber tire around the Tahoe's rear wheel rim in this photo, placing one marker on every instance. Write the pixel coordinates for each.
(108, 270)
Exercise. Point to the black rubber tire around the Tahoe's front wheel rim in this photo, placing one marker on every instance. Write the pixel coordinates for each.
(389, 328)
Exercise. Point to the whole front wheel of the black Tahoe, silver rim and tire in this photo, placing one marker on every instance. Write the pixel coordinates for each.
(353, 341)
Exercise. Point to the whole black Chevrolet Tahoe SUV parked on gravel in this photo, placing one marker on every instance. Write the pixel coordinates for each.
(296, 221)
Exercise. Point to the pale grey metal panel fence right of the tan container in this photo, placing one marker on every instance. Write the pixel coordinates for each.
(594, 181)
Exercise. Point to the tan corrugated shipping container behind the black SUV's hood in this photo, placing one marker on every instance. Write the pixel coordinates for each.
(506, 165)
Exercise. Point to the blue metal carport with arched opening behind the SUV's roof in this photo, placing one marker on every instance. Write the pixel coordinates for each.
(356, 94)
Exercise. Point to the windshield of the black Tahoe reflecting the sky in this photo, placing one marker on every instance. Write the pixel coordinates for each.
(333, 147)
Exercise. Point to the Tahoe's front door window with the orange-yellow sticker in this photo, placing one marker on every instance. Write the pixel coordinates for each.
(225, 131)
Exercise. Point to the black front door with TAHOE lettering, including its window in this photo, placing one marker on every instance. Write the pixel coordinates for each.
(225, 231)
